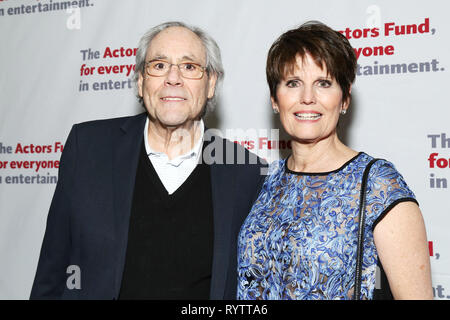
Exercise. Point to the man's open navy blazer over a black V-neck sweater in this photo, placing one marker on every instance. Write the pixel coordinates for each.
(88, 220)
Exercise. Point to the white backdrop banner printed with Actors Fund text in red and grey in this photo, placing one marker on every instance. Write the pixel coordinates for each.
(65, 62)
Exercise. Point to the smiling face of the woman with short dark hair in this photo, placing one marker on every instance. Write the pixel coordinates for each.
(309, 102)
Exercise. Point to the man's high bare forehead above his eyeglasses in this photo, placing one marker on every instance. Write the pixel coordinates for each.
(176, 43)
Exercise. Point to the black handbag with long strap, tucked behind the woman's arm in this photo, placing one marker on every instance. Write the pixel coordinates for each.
(382, 290)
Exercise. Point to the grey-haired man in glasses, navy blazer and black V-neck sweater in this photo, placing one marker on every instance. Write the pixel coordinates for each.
(149, 207)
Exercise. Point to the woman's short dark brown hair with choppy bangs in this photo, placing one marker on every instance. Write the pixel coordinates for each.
(326, 46)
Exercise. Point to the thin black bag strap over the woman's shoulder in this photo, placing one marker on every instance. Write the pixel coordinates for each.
(362, 218)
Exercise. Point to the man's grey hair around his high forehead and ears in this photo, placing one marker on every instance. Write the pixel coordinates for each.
(213, 57)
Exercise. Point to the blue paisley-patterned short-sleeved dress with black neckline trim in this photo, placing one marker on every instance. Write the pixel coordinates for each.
(299, 240)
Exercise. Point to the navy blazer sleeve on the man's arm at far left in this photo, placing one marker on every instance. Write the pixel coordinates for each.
(50, 279)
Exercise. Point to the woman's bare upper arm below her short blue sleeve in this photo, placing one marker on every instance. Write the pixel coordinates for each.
(401, 242)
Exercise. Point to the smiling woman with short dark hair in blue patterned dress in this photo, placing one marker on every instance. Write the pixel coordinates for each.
(300, 238)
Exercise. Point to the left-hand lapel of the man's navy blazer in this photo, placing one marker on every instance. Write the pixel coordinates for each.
(127, 145)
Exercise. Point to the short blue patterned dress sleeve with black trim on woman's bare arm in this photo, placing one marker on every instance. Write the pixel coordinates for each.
(386, 187)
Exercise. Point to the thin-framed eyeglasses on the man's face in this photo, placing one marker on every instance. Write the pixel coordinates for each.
(160, 68)
